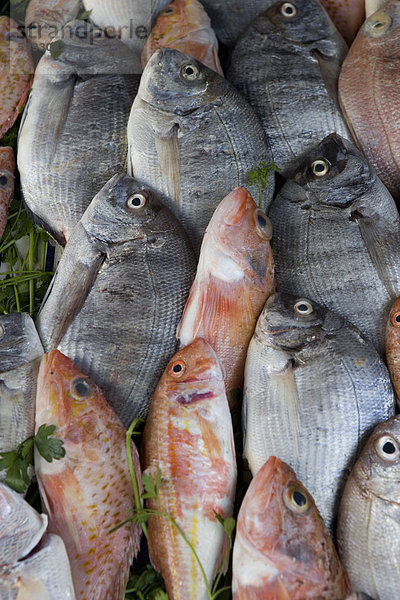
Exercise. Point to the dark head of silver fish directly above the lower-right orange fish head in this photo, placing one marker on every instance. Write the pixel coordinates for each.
(291, 323)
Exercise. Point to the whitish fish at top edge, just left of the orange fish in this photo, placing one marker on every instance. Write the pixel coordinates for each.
(128, 20)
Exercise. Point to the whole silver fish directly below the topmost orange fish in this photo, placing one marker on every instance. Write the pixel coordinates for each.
(193, 138)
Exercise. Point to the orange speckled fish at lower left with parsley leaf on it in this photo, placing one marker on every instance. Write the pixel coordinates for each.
(89, 491)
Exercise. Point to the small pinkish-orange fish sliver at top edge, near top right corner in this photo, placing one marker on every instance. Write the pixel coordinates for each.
(348, 16)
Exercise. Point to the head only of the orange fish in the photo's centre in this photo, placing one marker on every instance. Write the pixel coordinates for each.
(237, 240)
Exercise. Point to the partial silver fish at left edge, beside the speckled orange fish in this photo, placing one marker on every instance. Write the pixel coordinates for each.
(20, 354)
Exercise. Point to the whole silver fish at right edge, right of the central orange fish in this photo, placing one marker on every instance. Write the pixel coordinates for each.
(337, 237)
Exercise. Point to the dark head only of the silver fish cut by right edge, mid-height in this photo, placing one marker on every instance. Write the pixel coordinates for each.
(334, 174)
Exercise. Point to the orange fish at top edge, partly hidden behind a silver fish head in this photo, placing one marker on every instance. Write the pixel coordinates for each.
(185, 26)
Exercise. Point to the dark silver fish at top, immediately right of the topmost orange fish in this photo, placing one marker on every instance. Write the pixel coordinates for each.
(287, 39)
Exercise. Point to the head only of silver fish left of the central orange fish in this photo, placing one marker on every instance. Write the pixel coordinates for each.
(124, 210)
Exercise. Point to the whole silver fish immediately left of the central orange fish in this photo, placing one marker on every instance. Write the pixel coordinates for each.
(118, 294)
